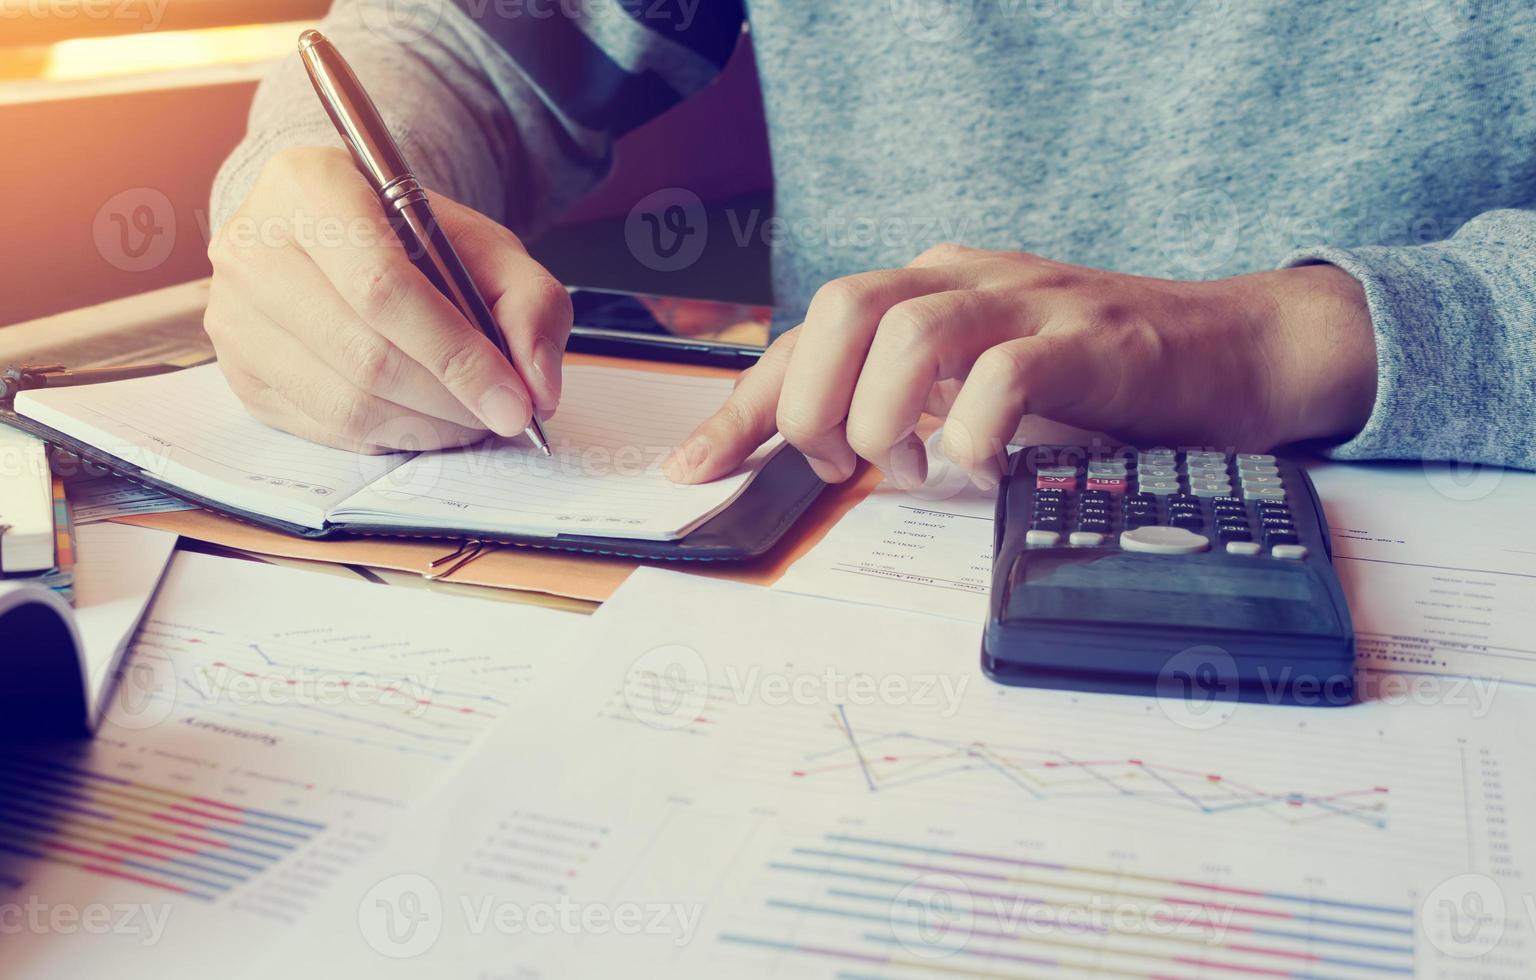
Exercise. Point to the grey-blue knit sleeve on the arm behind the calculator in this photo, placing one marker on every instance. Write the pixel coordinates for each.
(1455, 328)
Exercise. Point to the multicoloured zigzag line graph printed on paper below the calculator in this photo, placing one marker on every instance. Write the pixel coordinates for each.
(892, 760)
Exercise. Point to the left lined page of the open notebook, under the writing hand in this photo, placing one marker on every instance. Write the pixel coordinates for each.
(190, 431)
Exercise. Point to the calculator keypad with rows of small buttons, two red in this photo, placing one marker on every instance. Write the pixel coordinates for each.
(1196, 500)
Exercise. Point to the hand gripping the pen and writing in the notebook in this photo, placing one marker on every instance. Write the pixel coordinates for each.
(325, 328)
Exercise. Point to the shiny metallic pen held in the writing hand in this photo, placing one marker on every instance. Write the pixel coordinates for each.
(405, 200)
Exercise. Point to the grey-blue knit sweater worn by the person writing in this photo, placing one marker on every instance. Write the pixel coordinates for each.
(1188, 139)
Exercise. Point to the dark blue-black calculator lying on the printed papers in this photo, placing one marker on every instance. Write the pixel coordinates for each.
(1167, 572)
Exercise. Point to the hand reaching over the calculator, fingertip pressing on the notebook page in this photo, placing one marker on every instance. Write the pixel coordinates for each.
(987, 339)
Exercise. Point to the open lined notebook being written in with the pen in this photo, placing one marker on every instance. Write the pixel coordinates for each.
(615, 428)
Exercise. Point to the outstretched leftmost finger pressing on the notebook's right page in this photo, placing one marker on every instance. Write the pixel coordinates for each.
(744, 423)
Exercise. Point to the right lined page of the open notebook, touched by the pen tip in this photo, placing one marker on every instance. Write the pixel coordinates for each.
(614, 431)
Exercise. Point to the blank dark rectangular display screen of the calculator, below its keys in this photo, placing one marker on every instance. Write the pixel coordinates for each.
(1162, 591)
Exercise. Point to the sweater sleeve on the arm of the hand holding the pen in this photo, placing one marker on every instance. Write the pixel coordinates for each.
(511, 116)
